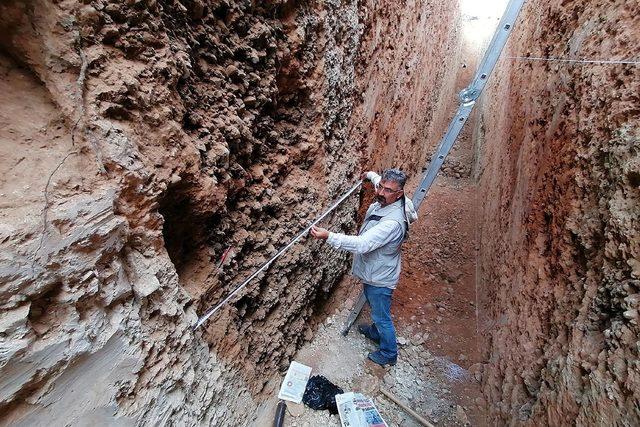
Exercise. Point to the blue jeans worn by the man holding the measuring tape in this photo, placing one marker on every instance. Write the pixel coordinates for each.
(379, 300)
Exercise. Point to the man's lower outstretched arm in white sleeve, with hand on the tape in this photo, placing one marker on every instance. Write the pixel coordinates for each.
(377, 236)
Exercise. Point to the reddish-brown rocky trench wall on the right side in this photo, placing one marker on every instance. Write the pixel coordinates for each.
(560, 219)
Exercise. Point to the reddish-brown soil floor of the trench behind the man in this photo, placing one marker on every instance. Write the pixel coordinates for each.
(436, 293)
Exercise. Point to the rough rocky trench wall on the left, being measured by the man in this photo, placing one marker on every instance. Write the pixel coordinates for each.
(142, 141)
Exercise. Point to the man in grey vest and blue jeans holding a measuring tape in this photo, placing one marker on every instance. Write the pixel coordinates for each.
(377, 256)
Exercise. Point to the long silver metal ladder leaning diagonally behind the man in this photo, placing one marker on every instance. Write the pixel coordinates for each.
(467, 100)
